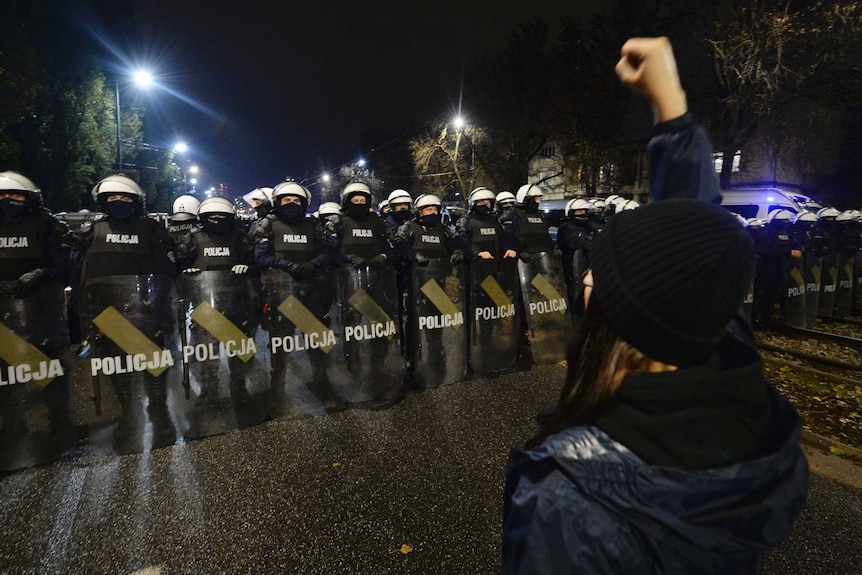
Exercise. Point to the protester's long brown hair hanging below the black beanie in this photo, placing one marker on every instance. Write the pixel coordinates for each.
(598, 360)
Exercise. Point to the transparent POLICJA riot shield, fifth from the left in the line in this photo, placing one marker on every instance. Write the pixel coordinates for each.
(371, 373)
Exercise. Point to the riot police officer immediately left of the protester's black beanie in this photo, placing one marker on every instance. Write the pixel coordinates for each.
(575, 240)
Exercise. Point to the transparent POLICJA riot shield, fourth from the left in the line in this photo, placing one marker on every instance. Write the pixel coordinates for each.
(304, 344)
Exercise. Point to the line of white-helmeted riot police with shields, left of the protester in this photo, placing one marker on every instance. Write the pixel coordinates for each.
(200, 327)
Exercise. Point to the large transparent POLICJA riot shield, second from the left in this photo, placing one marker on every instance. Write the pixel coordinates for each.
(135, 362)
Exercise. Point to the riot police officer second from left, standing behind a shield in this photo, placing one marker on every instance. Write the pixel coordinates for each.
(124, 260)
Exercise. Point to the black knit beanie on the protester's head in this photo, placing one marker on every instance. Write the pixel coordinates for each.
(670, 275)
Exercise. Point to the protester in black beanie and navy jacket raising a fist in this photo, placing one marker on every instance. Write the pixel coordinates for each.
(668, 451)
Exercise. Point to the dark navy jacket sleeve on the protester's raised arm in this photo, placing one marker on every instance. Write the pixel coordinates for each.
(680, 162)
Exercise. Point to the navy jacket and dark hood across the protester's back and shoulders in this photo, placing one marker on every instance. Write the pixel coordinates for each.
(690, 471)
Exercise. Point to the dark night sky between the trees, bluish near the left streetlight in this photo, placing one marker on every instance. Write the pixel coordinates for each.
(287, 89)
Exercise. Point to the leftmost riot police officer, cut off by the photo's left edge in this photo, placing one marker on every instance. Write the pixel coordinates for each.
(33, 274)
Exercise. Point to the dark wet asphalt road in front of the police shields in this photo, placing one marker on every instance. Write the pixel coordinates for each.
(416, 488)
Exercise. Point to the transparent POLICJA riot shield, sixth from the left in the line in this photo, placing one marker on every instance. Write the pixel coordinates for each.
(437, 323)
